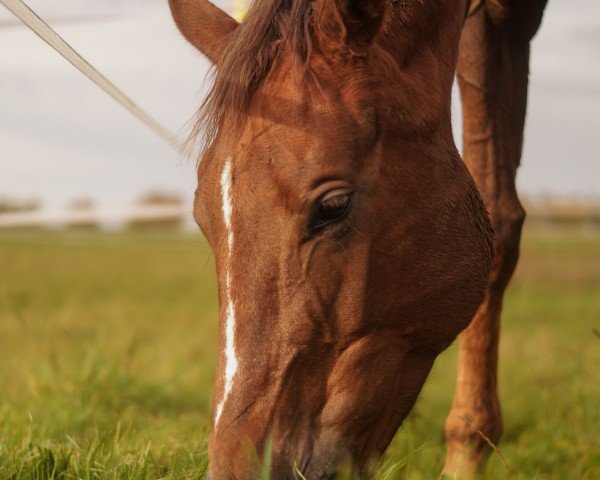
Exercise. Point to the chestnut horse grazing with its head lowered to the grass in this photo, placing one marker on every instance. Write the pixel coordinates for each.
(352, 245)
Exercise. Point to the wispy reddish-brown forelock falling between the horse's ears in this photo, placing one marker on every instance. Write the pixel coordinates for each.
(249, 57)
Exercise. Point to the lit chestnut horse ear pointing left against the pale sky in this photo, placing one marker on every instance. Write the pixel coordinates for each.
(204, 25)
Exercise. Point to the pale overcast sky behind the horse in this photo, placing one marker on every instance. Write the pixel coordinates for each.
(62, 138)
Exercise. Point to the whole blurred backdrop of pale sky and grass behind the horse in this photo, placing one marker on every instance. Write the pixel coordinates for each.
(108, 315)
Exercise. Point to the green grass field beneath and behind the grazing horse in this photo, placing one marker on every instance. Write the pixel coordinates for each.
(108, 347)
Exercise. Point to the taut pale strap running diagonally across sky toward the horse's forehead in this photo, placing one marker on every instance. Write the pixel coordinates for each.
(45, 32)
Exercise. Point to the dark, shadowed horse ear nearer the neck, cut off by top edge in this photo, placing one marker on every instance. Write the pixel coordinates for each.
(348, 24)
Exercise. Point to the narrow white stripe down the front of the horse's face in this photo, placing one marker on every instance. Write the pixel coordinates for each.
(231, 363)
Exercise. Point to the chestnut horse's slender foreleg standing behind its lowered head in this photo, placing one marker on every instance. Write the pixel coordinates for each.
(493, 76)
